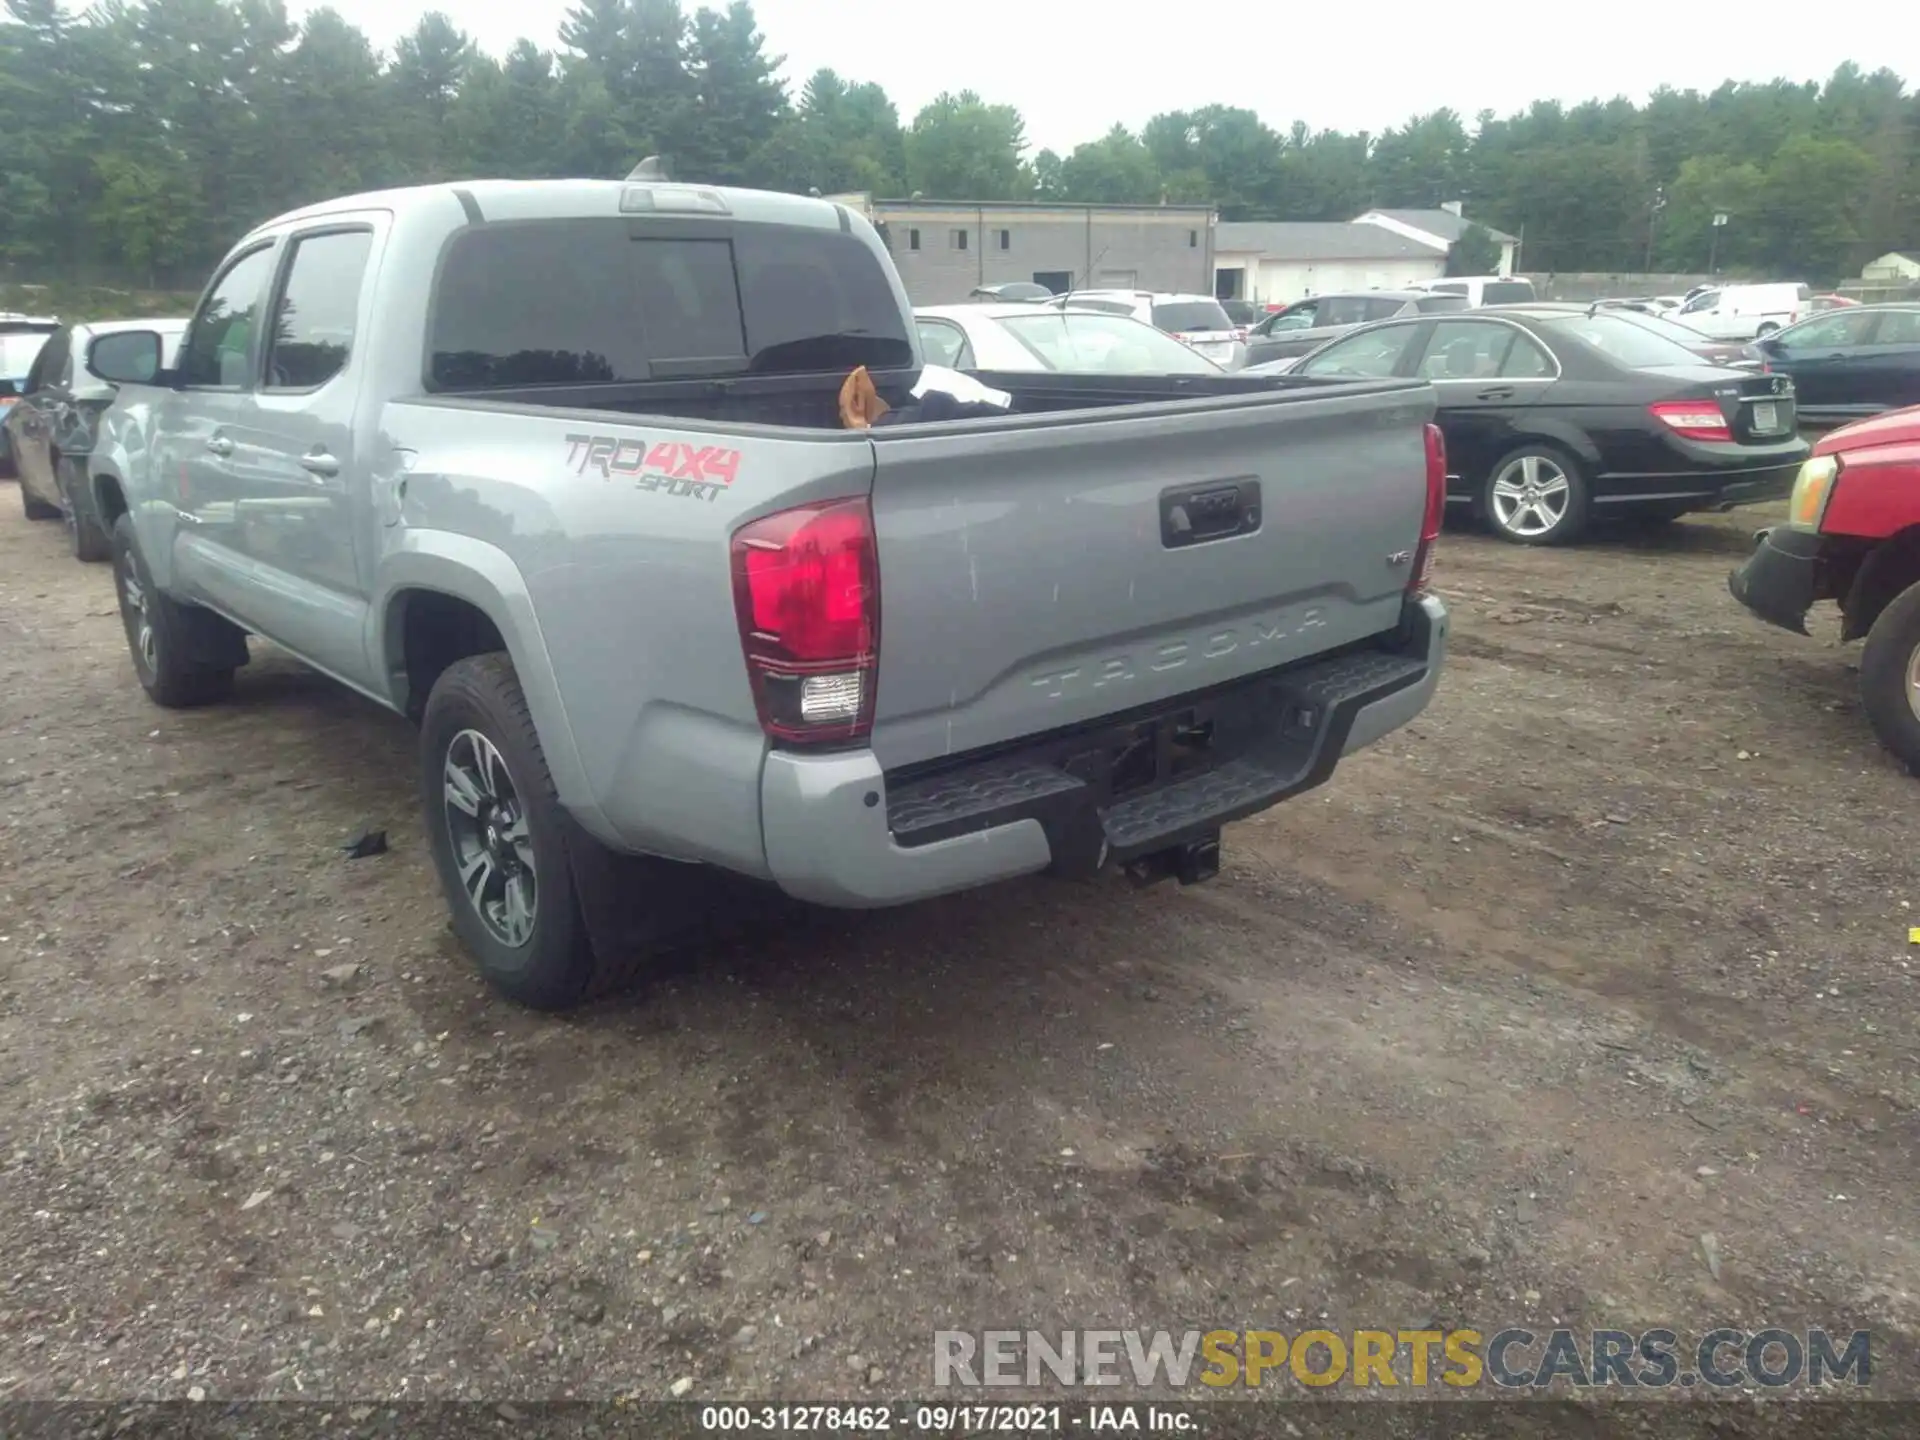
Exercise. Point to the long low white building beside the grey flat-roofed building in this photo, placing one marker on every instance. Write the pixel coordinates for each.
(1282, 262)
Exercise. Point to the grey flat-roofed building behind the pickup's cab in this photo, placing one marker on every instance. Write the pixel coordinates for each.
(948, 249)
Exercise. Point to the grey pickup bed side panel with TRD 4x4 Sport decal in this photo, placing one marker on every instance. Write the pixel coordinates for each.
(617, 537)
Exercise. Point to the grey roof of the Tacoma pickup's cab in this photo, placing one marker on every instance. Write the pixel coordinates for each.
(519, 201)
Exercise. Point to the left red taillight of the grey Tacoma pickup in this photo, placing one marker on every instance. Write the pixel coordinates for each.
(807, 598)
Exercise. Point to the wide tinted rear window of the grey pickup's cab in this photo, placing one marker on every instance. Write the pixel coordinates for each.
(590, 302)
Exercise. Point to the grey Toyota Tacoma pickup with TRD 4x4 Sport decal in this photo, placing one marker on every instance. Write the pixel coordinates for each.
(558, 471)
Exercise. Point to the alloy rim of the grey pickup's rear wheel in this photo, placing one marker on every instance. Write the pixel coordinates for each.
(492, 846)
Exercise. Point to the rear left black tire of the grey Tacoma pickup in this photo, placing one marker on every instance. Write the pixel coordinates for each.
(554, 967)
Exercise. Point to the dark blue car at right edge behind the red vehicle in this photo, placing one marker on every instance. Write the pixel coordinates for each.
(1850, 364)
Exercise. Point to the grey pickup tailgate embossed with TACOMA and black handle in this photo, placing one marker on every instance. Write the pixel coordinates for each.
(1044, 571)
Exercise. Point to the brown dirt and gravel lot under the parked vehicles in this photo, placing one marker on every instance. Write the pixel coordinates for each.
(1606, 953)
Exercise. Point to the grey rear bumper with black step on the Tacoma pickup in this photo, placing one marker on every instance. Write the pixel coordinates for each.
(838, 832)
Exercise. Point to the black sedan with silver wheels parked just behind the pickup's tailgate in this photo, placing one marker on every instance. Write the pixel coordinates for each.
(1552, 420)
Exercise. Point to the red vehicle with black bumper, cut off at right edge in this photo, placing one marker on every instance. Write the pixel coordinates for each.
(1854, 537)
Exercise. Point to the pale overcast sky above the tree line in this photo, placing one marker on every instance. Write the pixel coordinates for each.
(1076, 66)
